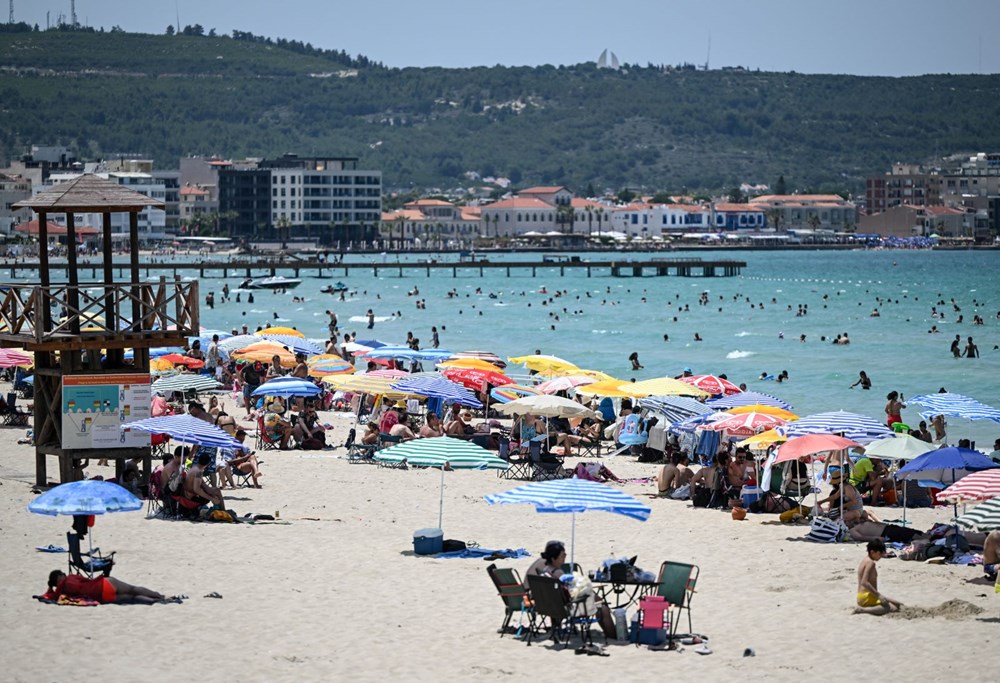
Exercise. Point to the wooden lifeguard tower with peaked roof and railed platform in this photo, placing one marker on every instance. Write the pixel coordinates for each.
(92, 319)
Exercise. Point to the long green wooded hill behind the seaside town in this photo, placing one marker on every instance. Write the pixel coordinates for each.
(171, 96)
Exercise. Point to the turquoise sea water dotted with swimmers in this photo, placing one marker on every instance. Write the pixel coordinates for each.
(741, 341)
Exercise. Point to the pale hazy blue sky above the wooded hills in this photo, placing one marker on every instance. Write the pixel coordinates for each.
(861, 37)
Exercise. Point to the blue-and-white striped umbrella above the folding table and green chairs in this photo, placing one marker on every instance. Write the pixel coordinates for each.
(573, 496)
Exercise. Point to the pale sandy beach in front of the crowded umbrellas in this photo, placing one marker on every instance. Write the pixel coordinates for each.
(333, 589)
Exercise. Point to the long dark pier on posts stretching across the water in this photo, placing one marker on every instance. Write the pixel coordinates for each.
(250, 268)
